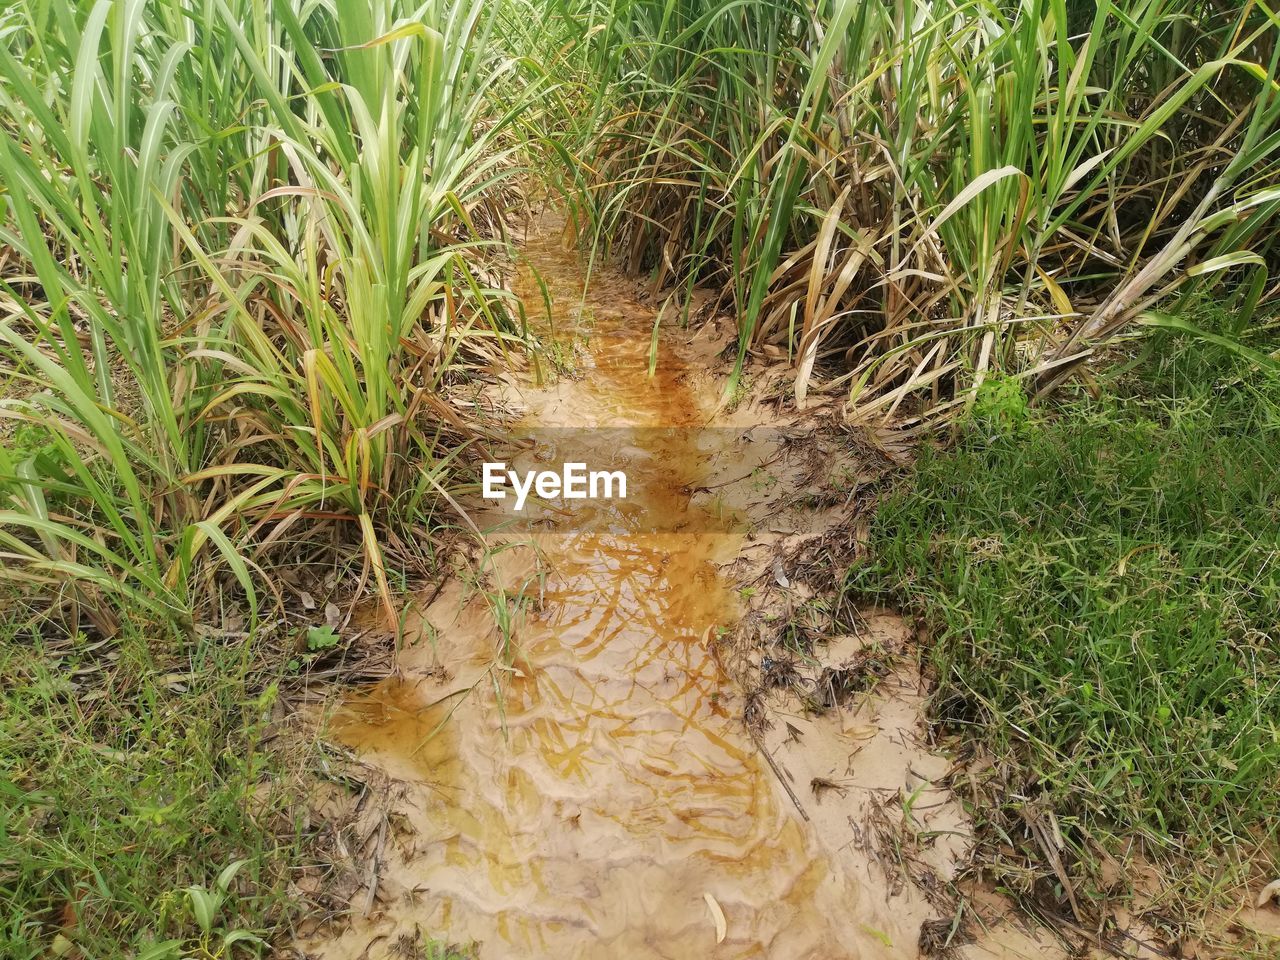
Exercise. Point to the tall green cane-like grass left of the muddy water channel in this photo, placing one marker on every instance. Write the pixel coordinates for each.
(249, 246)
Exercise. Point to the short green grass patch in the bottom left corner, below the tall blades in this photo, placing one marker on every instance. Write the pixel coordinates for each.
(129, 785)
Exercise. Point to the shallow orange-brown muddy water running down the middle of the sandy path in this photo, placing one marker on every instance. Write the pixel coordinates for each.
(583, 802)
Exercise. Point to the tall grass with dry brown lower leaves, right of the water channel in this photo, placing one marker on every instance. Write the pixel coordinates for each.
(908, 196)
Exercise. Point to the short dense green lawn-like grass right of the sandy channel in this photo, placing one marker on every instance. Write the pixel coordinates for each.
(1101, 586)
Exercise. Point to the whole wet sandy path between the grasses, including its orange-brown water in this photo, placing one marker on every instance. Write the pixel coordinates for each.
(633, 730)
